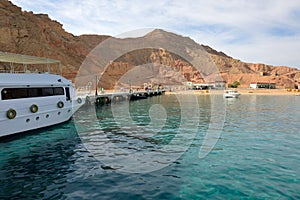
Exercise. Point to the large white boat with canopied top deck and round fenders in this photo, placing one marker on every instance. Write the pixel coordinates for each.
(33, 100)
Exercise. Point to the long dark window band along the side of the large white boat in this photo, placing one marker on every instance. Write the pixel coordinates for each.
(17, 93)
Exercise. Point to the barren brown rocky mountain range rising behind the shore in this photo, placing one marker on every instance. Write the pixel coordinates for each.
(36, 34)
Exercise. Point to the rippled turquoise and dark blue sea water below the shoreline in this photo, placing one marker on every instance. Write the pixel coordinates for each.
(257, 155)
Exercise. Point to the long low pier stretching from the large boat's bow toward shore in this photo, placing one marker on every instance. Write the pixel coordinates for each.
(113, 97)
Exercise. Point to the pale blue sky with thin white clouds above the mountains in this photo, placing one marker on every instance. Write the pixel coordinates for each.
(256, 31)
